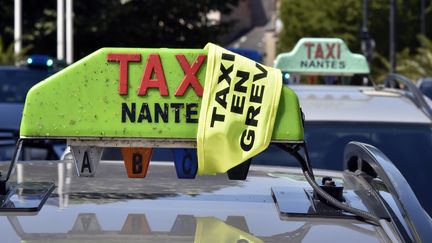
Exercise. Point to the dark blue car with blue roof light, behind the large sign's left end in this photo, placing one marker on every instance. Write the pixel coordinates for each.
(15, 82)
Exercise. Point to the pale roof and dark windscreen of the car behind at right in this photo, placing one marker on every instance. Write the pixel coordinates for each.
(385, 118)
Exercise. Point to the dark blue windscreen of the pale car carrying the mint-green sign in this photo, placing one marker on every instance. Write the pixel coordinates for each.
(408, 146)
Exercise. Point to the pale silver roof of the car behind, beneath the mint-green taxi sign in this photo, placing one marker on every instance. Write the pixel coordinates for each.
(357, 104)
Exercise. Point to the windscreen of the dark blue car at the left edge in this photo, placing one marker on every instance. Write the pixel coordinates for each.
(14, 84)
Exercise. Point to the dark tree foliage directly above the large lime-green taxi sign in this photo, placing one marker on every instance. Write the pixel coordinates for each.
(148, 23)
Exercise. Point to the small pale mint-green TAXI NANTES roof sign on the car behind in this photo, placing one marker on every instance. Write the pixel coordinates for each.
(322, 56)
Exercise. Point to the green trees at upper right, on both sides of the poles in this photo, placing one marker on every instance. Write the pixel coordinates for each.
(343, 19)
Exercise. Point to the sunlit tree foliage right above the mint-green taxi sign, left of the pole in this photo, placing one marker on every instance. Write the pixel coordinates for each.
(319, 18)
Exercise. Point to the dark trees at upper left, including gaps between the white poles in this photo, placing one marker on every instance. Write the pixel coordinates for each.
(127, 23)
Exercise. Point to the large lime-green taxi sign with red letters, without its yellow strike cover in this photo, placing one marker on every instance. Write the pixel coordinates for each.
(133, 93)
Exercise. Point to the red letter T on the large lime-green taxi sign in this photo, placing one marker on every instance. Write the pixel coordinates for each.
(124, 60)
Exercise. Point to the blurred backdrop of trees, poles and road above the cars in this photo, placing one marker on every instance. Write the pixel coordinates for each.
(393, 34)
